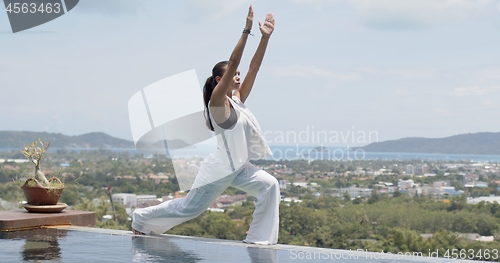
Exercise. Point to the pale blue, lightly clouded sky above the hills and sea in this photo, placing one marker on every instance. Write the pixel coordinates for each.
(359, 71)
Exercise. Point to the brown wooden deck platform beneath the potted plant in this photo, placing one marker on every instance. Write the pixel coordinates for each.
(21, 219)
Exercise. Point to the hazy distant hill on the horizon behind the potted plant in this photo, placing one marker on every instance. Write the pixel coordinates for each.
(18, 139)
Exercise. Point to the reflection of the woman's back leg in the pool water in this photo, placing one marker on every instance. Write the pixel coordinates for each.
(157, 249)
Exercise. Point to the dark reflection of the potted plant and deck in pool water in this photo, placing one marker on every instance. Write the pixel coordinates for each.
(40, 244)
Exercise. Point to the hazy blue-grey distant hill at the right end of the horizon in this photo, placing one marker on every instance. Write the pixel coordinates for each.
(472, 143)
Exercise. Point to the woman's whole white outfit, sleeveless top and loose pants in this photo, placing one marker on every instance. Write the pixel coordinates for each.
(228, 166)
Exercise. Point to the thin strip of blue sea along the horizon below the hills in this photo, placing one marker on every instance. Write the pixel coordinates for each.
(300, 152)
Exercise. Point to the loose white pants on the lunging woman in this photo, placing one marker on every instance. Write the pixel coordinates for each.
(264, 227)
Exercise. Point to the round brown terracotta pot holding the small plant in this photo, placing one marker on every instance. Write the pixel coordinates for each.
(40, 195)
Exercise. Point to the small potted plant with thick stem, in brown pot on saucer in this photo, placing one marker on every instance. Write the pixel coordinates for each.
(41, 194)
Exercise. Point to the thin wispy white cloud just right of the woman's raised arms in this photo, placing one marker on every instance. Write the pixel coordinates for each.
(312, 71)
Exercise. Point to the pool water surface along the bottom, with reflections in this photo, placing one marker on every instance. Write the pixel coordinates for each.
(84, 244)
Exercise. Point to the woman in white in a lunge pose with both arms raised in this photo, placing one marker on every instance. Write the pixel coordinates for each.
(238, 140)
